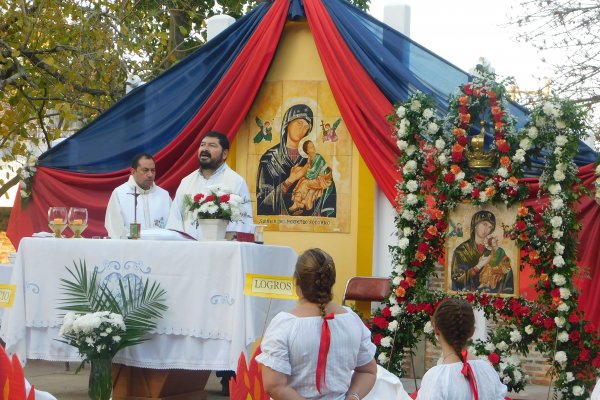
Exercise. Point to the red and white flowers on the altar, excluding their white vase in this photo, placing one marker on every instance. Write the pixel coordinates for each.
(215, 202)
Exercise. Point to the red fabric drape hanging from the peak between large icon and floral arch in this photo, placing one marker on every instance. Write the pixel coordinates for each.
(361, 103)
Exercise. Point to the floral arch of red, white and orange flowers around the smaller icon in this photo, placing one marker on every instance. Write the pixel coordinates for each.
(442, 167)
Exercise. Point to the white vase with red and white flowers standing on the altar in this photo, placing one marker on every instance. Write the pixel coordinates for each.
(212, 209)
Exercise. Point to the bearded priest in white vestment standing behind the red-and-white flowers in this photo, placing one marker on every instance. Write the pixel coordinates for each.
(213, 170)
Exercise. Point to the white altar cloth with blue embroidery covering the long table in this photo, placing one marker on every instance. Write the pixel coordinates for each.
(209, 321)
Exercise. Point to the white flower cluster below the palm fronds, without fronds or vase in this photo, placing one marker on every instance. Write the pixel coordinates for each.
(94, 334)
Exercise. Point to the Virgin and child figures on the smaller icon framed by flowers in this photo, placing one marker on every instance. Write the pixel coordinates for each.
(479, 263)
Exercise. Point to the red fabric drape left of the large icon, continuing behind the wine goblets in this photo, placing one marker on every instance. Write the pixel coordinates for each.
(225, 111)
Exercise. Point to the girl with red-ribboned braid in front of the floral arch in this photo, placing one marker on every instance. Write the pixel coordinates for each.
(459, 376)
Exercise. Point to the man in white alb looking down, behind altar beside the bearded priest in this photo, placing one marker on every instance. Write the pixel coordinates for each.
(153, 202)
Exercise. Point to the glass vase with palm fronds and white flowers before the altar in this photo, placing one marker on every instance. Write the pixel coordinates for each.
(99, 323)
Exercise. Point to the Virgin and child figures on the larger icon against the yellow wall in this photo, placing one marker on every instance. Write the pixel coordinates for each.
(291, 181)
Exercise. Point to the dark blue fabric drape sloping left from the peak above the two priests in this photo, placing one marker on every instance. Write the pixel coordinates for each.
(151, 116)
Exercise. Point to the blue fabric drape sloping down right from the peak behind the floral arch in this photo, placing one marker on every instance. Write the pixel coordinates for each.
(400, 67)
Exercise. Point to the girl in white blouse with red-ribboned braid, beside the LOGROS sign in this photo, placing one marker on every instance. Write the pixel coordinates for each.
(318, 350)
